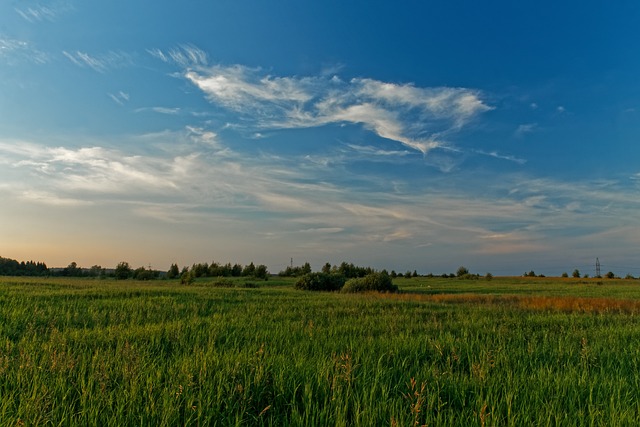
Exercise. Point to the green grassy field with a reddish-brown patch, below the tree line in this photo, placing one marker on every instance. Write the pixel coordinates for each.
(444, 352)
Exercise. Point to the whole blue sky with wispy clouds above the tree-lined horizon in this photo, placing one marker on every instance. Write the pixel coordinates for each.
(414, 135)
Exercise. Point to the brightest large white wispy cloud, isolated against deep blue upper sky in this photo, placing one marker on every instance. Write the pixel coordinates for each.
(413, 116)
